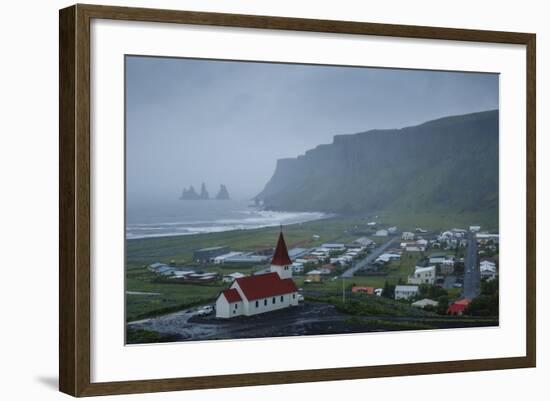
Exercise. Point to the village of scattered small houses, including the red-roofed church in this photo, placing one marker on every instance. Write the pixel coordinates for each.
(417, 273)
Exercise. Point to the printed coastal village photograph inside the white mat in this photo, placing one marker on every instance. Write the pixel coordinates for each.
(268, 199)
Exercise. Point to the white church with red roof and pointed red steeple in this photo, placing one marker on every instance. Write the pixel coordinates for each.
(262, 293)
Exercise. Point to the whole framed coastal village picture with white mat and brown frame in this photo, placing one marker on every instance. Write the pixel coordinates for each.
(249, 200)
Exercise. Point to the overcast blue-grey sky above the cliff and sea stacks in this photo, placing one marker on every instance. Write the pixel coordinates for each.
(223, 122)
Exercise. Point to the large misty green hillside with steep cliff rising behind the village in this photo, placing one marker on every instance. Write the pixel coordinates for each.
(444, 166)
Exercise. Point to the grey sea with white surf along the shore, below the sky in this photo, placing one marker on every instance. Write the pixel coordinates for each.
(179, 217)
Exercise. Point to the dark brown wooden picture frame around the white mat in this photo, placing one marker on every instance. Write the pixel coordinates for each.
(74, 199)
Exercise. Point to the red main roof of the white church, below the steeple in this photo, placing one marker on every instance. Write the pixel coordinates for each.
(265, 285)
